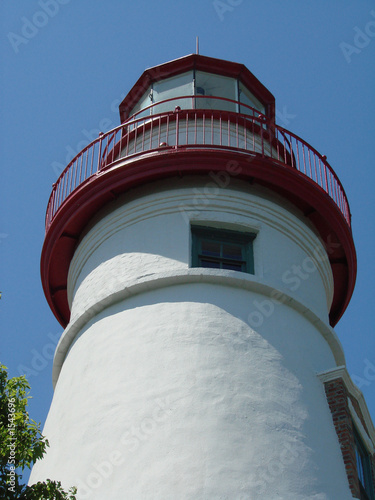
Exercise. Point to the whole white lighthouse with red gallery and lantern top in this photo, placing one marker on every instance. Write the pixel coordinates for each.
(198, 257)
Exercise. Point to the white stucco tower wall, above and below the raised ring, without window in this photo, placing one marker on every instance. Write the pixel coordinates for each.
(172, 387)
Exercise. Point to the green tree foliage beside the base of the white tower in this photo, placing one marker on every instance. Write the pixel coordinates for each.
(21, 445)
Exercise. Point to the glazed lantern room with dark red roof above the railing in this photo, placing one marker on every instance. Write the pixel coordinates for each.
(198, 82)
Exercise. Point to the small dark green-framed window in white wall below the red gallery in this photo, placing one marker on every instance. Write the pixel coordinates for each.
(222, 249)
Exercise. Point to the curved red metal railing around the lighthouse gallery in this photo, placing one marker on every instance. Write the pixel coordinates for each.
(166, 125)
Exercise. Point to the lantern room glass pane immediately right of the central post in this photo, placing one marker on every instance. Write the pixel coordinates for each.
(211, 85)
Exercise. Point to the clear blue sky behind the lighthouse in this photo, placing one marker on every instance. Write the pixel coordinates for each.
(66, 64)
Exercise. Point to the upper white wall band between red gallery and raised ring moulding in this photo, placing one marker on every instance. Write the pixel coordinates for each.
(151, 235)
